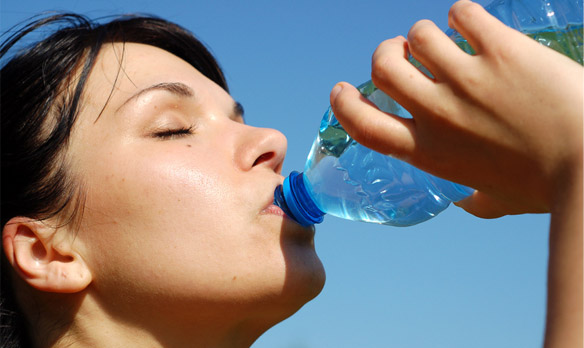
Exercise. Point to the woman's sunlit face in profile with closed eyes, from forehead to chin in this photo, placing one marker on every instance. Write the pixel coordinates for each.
(179, 217)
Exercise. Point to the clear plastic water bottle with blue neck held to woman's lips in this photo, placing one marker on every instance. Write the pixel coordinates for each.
(347, 180)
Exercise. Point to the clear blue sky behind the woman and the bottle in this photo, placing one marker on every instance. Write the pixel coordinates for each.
(456, 281)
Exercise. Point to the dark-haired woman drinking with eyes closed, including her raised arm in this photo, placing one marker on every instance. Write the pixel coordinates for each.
(143, 216)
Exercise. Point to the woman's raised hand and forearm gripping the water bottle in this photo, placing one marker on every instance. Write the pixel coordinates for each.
(509, 129)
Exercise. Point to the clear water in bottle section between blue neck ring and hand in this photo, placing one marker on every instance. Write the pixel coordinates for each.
(356, 183)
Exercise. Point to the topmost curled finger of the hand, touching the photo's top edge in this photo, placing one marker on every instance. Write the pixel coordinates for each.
(471, 19)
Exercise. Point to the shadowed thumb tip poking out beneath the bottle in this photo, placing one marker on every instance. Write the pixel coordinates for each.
(486, 206)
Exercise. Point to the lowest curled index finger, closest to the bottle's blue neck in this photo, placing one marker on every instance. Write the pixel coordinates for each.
(369, 126)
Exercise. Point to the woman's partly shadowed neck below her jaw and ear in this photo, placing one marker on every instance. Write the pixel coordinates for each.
(94, 327)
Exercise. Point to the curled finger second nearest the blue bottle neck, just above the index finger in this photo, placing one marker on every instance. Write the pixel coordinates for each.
(393, 73)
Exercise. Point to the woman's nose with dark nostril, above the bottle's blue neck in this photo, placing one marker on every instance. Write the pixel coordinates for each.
(261, 147)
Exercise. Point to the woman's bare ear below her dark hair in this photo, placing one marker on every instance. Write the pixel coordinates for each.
(45, 259)
